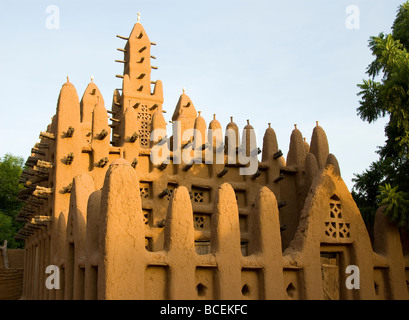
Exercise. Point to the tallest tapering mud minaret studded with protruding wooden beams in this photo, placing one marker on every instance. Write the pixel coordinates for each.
(136, 92)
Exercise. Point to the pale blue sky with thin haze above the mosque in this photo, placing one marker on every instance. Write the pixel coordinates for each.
(284, 62)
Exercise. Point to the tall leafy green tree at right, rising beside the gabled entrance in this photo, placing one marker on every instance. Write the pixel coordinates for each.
(386, 94)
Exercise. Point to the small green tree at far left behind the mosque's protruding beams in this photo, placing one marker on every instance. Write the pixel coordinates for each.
(10, 172)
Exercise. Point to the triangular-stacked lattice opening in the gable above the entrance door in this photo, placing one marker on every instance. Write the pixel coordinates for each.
(335, 227)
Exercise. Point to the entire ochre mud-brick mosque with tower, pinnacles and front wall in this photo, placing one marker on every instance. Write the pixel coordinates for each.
(119, 226)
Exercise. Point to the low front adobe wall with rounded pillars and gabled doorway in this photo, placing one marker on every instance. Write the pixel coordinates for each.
(331, 236)
